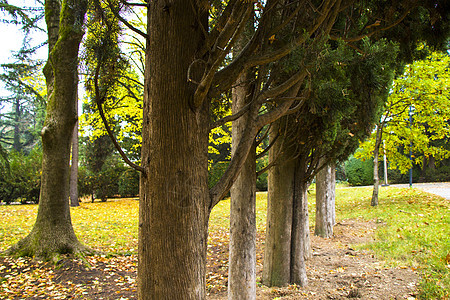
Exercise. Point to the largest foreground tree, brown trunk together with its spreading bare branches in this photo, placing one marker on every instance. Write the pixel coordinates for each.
(187, 68)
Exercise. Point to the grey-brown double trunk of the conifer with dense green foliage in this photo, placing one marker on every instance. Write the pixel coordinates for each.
(284, 255)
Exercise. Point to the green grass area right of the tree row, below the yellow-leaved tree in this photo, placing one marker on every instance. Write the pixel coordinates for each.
(414, 230)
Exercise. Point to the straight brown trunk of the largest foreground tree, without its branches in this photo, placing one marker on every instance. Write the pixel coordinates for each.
(174, 203)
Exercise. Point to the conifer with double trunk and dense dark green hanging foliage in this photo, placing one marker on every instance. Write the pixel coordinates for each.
(346, 90)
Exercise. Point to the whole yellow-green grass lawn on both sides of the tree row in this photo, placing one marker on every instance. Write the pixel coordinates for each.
(414, 228)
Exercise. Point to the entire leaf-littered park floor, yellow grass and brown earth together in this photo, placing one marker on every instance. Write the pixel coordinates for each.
(338, 268)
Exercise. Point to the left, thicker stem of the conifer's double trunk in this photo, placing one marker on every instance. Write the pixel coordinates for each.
(277, 253)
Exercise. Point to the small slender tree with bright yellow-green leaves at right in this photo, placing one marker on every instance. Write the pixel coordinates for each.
(422, 86)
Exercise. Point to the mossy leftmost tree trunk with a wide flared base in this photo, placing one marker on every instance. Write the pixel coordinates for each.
(53, 232)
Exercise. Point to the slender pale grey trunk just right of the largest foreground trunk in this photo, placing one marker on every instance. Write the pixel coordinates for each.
(242, 259)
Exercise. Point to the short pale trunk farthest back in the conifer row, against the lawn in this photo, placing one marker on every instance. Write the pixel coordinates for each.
(325, 201)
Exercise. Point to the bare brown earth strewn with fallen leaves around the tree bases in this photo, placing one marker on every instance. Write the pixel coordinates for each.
(337, 270)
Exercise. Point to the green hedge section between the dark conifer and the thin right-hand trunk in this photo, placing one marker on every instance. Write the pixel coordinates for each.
(359, 172)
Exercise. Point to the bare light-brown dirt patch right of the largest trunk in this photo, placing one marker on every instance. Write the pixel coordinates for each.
(338, 271)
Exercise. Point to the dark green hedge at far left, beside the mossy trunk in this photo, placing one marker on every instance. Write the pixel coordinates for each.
(21, 181)
